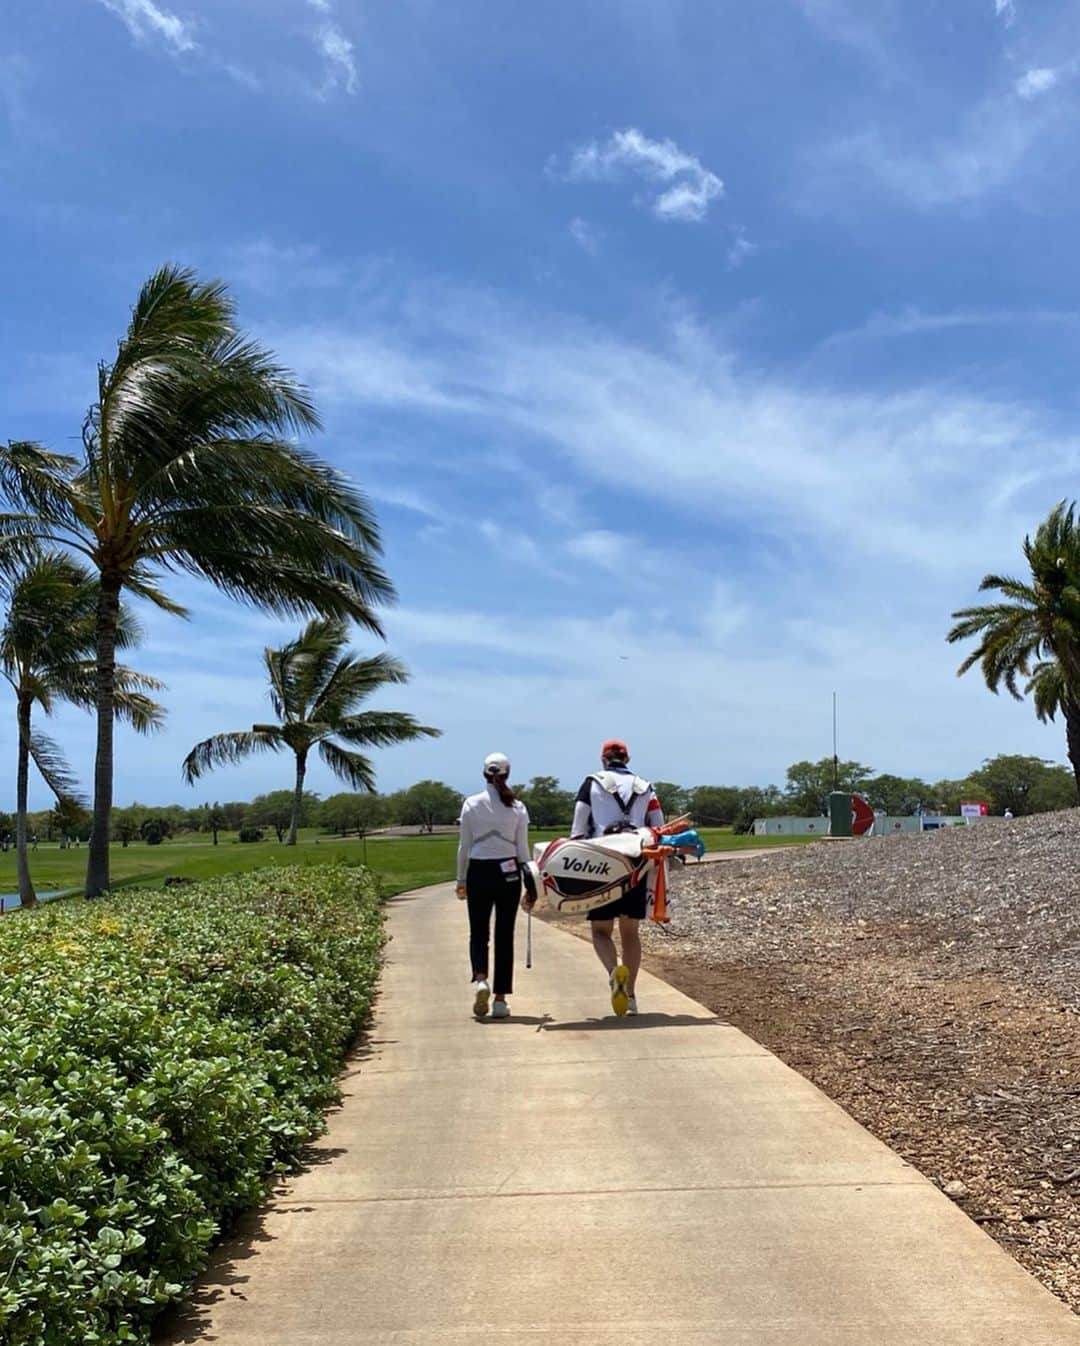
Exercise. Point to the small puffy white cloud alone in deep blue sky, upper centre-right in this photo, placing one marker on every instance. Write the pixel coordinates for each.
(691, 186)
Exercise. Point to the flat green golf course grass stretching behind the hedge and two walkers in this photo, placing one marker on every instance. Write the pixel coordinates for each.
(401, 862)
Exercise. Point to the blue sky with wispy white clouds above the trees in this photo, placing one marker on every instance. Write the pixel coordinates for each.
(698, 359)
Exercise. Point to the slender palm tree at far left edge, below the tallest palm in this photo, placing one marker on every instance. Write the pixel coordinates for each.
(46, 655)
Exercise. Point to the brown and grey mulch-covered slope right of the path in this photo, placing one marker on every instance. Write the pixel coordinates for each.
(931, 985)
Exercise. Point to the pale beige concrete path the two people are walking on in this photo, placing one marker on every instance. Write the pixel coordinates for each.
(570, 1180)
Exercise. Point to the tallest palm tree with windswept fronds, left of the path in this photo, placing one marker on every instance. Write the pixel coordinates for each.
(187, 466)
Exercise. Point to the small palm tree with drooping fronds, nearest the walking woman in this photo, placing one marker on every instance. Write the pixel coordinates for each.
(316, 686)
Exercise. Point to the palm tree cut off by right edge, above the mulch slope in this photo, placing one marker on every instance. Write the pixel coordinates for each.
(1035, 636)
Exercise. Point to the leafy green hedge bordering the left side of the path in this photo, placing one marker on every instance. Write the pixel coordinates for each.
(161, 1056)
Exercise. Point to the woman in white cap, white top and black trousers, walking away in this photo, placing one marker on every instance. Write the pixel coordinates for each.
(495, 845)
